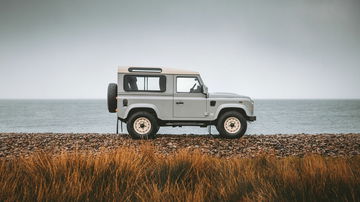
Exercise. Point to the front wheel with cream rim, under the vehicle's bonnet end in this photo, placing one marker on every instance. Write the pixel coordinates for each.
(231, 125)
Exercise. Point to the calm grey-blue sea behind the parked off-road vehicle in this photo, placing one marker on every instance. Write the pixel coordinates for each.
(91, 116)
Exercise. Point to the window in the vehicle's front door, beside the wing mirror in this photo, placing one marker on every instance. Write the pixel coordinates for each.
(188, 85)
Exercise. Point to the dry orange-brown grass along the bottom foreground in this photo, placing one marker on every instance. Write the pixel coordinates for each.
(126, 175)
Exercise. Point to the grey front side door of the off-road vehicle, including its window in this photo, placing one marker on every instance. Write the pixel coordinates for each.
(189, 101)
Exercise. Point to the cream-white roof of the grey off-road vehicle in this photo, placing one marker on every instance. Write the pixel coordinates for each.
(158, 70)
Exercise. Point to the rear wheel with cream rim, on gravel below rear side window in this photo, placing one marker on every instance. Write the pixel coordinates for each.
(142, 125)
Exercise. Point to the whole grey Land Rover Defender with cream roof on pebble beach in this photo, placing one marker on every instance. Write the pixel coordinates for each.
(146, 98)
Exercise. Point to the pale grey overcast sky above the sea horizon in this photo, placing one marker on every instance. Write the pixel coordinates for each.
(263, 49)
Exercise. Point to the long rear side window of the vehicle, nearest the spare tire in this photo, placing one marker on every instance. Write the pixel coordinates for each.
(144, 83)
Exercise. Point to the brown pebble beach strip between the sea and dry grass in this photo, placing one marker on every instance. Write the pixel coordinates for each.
(23, 144)
